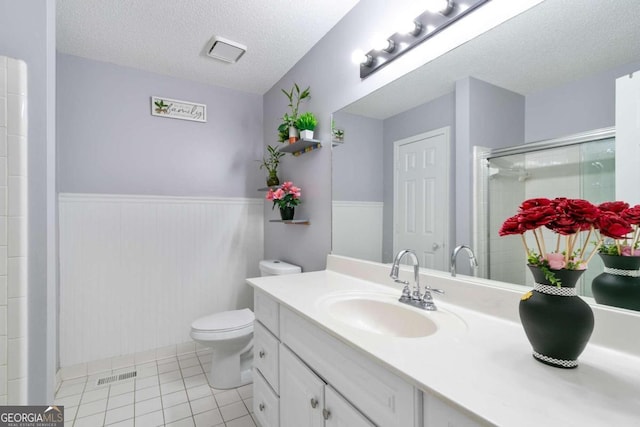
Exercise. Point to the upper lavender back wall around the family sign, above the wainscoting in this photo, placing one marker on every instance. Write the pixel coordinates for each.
(108, 141)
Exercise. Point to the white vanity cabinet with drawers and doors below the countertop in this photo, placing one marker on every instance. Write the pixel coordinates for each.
(319, 380)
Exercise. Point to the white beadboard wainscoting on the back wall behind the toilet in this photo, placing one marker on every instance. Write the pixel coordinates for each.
(135, 271)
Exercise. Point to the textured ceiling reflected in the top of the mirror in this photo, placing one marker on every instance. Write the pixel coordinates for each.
(553, 43)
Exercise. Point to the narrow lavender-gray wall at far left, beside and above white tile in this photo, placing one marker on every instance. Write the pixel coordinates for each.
(27, 32)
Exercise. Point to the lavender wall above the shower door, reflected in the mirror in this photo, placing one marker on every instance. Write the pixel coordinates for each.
(579, 106)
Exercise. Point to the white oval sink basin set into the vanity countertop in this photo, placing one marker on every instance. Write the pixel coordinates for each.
(382, 314)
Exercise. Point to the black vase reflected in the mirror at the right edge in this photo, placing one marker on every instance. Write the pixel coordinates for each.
(619, 284)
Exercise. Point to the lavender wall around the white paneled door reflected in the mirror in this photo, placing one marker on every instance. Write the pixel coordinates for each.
(427, 117)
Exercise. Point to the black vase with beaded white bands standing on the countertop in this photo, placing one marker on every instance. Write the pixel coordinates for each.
(557, 322)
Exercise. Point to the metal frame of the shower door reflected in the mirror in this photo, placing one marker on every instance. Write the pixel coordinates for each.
(482, 155)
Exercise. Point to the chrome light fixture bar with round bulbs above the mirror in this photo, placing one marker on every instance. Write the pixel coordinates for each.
(424, 26)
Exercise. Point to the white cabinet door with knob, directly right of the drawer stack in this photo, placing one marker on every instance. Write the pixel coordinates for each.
(301, 393)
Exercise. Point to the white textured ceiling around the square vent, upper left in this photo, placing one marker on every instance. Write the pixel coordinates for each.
(170, 36)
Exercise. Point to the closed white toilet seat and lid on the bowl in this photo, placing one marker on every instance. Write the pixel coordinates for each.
(224, 325)
